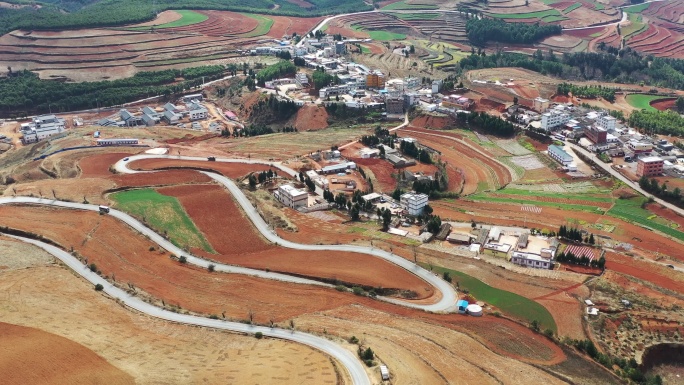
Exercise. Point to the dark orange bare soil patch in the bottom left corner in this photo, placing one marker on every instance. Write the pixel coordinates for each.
(32, 356)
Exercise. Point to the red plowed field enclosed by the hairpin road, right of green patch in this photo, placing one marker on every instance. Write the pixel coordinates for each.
(237, 242)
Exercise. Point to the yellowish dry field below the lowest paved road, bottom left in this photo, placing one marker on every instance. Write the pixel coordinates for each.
(37, 293)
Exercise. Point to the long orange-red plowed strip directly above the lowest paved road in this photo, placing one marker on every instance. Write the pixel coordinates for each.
(236, 295)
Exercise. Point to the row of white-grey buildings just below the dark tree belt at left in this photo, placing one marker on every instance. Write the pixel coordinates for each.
(171, 114)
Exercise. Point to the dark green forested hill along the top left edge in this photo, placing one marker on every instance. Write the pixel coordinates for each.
(72, 14)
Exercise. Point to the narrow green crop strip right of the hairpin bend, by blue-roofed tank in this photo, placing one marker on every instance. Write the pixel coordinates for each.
(512, 304)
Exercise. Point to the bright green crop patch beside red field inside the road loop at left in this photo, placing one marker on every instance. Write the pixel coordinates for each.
(164, 214)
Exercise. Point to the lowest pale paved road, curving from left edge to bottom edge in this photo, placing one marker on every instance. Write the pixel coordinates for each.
(343, 356)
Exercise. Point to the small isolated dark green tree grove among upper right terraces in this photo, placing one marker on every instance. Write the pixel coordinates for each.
(482, 30)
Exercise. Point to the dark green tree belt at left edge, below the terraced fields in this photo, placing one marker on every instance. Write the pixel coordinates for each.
(24, 93)
